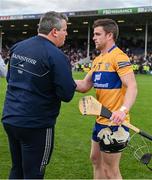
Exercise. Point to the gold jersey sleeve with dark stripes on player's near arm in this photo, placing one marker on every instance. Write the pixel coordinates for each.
(122, 64)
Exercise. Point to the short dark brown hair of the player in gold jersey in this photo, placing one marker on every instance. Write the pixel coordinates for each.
(109, 26)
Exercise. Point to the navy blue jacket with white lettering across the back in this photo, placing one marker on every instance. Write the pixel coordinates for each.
(39, 78)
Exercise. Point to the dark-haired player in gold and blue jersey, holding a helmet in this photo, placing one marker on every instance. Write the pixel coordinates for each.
(113, 78)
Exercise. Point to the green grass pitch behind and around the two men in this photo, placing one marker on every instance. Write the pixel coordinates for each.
(70, 159)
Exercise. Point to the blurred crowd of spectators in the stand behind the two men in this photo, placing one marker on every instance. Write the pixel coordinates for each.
(140, 63)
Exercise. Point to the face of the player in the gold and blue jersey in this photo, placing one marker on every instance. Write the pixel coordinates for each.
(100, 38)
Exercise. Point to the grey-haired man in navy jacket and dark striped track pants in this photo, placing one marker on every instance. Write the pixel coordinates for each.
(39, 78)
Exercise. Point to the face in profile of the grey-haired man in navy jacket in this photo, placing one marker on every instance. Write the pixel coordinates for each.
(62, 33)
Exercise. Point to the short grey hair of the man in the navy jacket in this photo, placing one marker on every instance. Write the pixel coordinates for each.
(51, 20)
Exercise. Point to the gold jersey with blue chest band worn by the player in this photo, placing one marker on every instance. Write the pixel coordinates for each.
(106, 72)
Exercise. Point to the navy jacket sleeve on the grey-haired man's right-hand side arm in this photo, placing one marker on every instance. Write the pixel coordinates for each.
(64, 83)
